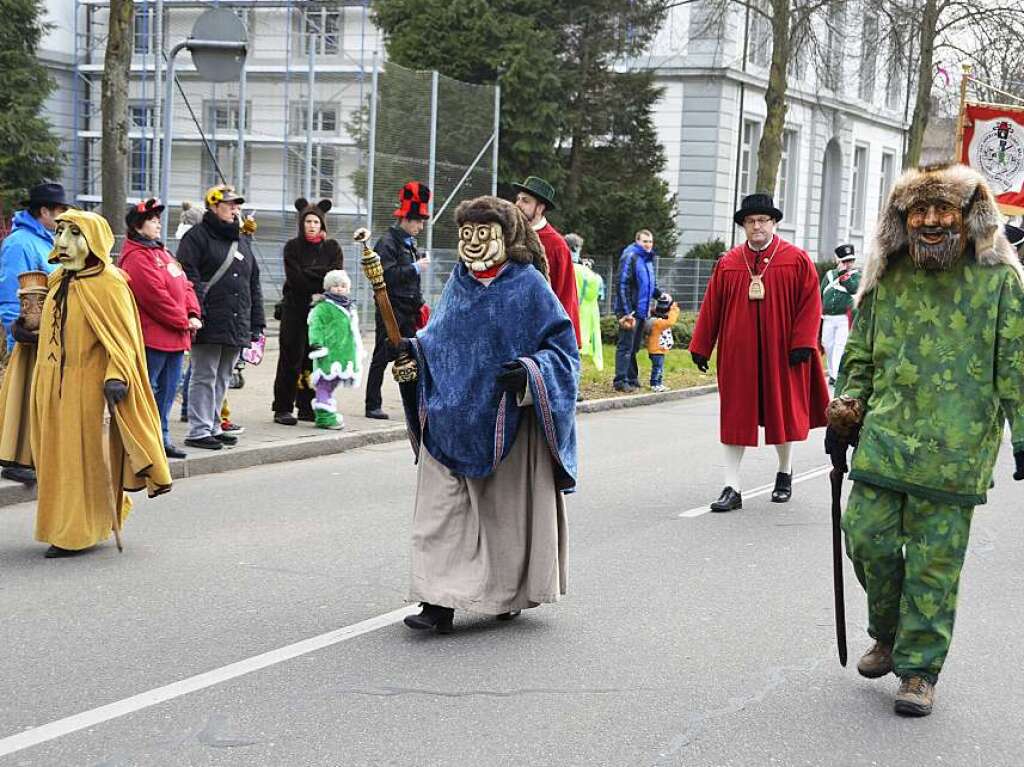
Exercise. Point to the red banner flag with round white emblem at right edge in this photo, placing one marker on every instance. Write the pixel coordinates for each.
(994, 145)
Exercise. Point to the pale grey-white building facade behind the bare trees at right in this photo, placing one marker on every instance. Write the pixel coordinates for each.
(845, 124)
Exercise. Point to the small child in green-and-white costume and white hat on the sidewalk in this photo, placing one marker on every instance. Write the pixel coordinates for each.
(336, 348)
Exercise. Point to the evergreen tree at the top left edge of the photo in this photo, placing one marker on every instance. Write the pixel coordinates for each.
(30, 152)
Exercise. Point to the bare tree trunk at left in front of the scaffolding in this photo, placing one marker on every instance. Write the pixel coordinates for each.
(117, 71)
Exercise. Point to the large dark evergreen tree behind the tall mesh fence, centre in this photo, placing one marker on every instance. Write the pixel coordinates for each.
(571, 112)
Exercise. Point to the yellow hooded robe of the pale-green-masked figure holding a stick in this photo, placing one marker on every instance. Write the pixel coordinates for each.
(90, 334)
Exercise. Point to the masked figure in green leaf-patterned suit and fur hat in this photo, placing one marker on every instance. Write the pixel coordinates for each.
(935, 364)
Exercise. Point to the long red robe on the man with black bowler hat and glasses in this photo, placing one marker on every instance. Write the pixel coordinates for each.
(792, 399)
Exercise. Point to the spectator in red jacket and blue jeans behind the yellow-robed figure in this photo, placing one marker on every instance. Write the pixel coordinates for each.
(167, 307)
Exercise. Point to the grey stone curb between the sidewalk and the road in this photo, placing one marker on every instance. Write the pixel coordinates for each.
(313, 447)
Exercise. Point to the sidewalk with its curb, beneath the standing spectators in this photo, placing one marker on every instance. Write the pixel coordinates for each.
(267, 443)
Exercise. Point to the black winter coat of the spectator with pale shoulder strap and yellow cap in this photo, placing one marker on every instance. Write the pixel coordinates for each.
(233, 310)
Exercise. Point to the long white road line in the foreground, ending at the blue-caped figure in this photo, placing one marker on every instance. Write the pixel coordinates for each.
(61, 728)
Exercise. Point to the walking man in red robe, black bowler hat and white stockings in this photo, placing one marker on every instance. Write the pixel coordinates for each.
(763, 309)
